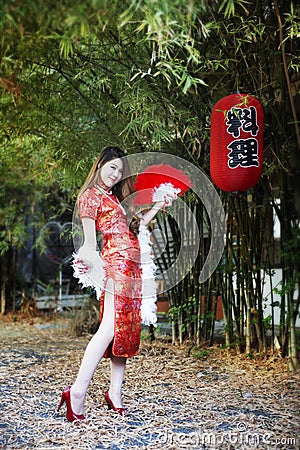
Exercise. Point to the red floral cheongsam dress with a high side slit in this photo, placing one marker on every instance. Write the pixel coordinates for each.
(121, 255)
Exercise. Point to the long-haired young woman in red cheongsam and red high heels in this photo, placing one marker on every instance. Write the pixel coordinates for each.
(99, 202)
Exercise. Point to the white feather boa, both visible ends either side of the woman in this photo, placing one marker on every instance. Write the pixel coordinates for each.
(95, 276)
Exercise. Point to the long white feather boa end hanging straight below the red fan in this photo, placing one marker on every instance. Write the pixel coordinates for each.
(149, 285)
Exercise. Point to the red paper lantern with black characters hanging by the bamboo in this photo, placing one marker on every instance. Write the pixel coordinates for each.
(236, 147)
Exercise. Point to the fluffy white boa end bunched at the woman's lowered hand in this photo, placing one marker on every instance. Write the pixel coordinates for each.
(95, 275)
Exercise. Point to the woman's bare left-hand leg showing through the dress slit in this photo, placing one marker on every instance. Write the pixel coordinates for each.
(94, 351)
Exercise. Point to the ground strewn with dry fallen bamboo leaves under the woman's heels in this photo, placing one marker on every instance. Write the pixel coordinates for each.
(218, 400)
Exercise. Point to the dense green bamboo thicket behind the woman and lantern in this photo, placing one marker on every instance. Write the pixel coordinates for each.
(79, 75)
